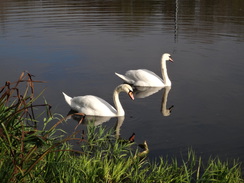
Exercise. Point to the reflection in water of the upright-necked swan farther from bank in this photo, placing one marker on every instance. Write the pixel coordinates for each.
(143, 92)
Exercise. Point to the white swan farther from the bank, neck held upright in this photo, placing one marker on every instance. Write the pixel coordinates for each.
(144, 77)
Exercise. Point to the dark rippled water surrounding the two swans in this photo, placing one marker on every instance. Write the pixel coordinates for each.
(76, 46)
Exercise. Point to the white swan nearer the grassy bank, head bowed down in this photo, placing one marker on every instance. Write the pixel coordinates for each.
(95, 106)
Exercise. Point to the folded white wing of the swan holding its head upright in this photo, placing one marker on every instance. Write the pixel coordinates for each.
(144, 77)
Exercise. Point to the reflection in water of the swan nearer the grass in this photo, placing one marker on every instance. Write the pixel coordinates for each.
(96, 120)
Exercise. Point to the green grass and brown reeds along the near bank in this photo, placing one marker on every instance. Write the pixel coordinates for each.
(28, 154)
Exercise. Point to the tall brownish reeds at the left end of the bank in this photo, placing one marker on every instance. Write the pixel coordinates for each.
(22, 145)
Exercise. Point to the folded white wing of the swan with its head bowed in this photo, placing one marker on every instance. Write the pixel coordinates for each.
(92, 105)
